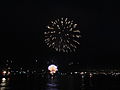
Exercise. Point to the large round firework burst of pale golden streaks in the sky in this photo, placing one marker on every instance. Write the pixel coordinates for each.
(62, 35)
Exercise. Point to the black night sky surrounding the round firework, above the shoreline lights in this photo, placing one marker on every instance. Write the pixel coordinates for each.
(23, 25)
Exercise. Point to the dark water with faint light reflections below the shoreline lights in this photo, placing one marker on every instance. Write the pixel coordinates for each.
(74, 82)
